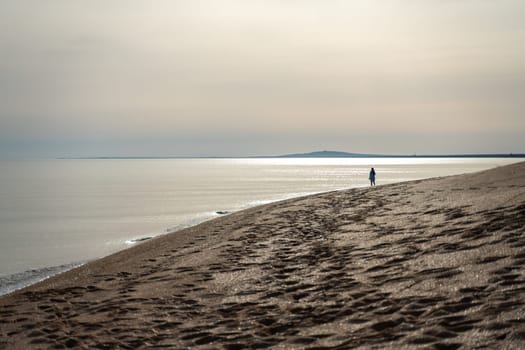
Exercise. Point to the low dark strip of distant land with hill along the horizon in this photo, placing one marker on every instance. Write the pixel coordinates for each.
(325, 154)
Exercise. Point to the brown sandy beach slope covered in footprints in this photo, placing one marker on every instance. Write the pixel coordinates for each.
(435, 264)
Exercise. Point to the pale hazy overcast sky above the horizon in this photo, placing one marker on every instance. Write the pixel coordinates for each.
(261, 77)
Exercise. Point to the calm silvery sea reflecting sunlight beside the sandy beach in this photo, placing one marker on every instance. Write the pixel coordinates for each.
(61, 213)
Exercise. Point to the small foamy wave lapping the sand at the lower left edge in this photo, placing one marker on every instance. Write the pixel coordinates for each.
(11, 283)
